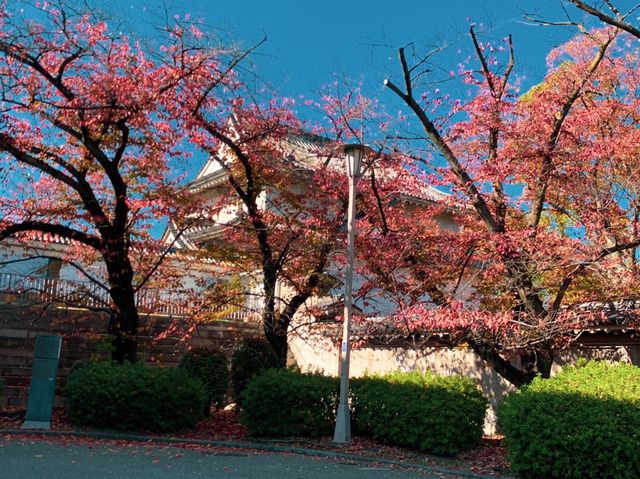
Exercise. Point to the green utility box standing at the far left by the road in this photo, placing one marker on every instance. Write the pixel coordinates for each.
(43, 382)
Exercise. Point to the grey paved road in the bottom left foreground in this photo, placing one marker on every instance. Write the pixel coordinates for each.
(26, 459)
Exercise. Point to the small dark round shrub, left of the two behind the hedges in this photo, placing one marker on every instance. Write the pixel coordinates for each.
(211, 367)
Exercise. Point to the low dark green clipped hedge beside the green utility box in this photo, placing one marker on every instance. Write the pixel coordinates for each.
(133, 397)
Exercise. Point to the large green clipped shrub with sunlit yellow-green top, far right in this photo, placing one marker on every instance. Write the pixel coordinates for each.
(582, 423)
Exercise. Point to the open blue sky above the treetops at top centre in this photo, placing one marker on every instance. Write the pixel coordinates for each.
(308, 42)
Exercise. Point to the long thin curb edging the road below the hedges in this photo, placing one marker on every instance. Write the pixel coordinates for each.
(255, 446)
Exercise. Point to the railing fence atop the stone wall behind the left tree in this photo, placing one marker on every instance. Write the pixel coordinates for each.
(84, 294)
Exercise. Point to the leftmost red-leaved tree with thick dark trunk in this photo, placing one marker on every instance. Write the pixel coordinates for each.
(86, 144)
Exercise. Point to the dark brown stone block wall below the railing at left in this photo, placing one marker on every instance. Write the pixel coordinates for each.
(83, 337)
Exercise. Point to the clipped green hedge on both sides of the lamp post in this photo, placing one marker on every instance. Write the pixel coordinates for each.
(441, 415)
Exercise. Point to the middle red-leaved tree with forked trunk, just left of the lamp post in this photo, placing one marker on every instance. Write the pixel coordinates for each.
(285, 183)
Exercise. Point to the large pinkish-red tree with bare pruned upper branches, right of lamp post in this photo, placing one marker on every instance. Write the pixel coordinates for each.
(545, 193)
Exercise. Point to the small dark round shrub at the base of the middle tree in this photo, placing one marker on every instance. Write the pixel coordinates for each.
(251, 356)
